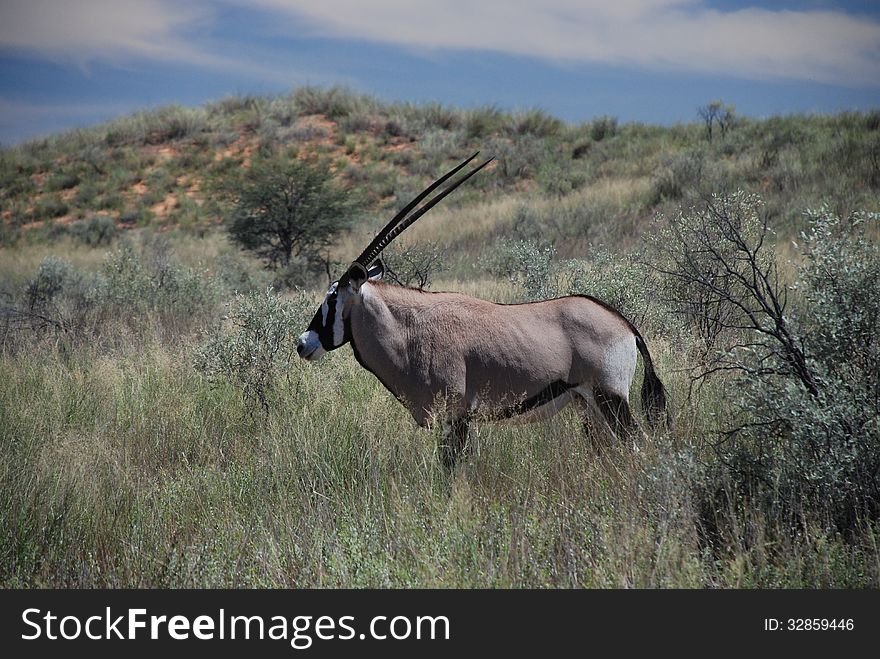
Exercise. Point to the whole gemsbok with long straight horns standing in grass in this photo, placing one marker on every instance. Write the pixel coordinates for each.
(448, 354)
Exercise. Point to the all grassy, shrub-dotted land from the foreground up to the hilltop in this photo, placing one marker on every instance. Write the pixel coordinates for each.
(157, 429)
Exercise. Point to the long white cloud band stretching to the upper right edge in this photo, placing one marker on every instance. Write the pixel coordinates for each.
(679, 35)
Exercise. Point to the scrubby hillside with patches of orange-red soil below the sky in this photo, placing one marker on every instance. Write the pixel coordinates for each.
(174, 167)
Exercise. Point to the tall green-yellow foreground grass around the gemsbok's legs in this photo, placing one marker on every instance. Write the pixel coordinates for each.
(129, 470)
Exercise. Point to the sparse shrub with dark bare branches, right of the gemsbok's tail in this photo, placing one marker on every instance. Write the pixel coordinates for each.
(721, 275)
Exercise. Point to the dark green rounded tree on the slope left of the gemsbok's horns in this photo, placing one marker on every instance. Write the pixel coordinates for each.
(289, 209)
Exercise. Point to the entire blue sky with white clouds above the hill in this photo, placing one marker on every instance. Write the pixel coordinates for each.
(73, 63)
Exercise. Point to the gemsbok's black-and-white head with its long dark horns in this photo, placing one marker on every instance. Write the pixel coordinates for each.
(329, 328)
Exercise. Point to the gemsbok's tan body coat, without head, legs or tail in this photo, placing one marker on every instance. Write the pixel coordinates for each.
(469, 353)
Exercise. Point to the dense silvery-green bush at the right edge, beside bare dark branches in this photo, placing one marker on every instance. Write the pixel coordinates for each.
(822, 452)
